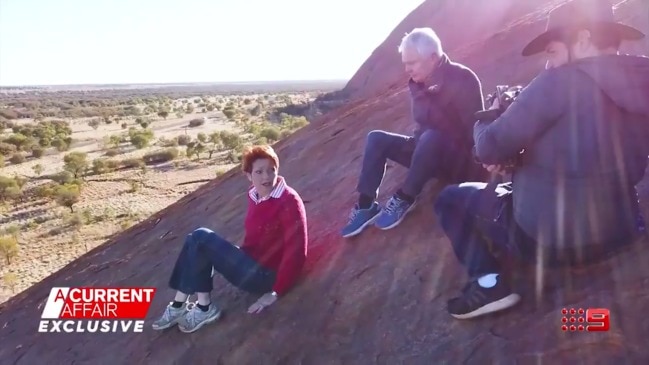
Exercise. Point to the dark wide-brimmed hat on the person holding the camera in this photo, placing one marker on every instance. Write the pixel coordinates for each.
(580, 14)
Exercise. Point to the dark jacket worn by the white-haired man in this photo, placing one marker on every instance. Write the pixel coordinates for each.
(447, 101)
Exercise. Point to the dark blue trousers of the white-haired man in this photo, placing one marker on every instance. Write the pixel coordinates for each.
(432, 155)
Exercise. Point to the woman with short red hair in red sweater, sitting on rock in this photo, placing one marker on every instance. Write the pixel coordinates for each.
(267, 263)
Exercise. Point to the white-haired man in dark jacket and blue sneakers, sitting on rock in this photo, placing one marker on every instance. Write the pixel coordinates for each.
(444, 98)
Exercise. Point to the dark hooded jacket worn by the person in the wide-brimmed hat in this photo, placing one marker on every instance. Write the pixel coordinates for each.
(583, 128)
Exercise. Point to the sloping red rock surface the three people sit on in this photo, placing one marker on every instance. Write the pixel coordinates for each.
(376, 299)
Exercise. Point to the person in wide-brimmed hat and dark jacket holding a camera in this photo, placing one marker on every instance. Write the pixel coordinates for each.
(580, 129)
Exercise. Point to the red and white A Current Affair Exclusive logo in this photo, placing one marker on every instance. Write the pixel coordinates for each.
(96, 309)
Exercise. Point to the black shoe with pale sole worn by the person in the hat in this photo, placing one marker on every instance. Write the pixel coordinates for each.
(476, 300)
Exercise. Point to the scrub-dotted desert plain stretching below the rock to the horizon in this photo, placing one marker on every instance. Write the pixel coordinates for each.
(79, 165)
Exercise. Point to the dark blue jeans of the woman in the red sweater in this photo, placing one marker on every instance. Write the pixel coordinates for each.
(204, 250)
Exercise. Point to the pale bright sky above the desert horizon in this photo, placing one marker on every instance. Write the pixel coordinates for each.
(46, 42)
